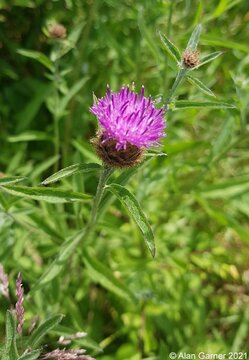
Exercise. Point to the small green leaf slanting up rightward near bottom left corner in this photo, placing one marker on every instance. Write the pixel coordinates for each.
(43, 329)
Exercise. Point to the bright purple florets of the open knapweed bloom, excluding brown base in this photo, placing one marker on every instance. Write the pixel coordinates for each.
(127, 117)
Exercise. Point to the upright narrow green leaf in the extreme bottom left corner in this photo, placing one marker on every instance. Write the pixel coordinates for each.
(10, 351)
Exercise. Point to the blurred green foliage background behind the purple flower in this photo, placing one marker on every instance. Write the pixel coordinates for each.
(194, 296)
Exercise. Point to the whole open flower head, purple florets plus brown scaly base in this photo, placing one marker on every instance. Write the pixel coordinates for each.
(129, 123)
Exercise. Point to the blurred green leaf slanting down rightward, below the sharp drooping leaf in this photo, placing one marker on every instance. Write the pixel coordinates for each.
(100, 273)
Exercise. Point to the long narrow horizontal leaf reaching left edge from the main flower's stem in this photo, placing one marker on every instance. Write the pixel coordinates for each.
(45, 194)
